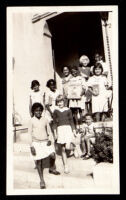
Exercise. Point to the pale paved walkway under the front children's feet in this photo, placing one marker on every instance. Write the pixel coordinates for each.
(26, 177)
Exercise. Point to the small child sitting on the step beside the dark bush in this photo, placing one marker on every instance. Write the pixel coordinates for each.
(88, 136)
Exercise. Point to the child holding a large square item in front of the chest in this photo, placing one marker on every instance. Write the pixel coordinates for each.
(77, 87)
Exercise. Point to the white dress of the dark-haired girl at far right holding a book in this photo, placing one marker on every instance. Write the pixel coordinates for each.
(99, 102)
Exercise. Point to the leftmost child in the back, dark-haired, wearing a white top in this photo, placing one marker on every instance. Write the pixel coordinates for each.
(36, 95)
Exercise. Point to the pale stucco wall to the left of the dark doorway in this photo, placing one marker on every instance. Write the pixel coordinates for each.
(33, 59)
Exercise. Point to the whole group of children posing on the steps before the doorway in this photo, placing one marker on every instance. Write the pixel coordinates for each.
(56, 117)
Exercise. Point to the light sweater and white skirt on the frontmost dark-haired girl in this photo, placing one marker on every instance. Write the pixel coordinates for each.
(40, 134)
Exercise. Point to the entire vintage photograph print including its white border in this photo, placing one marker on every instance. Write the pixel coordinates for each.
(62, 100)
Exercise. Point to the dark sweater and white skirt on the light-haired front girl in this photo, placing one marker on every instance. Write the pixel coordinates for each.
(63, 122)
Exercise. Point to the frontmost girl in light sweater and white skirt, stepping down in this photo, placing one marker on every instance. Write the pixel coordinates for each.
(40, 142)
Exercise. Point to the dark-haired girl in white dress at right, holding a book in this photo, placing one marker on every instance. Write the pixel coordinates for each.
(97, 85)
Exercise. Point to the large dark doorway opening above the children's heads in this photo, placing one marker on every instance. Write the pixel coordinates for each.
(75, 34)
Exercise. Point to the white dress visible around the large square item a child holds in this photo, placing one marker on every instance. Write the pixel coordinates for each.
(78, 103)
